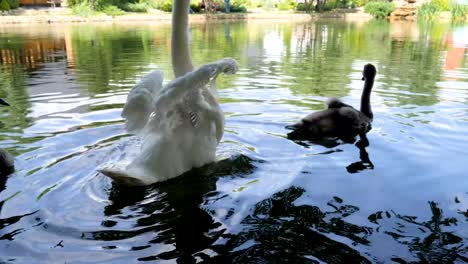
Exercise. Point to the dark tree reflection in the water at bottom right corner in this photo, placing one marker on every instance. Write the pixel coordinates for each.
(432, 244)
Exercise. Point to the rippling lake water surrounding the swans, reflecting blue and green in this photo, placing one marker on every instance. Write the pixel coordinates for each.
(401, 198)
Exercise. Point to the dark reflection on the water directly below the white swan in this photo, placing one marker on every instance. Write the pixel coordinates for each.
(174, 214)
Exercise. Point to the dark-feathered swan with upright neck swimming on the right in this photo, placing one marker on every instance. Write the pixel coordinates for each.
(339, 120)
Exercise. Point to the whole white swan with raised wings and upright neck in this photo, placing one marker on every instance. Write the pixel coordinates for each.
(181, 123)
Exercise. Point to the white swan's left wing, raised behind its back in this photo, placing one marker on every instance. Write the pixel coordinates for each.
(140, 101)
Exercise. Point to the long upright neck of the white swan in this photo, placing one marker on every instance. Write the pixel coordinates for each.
(180, 51)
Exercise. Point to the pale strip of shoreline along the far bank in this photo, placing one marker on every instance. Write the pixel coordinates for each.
(61, 15)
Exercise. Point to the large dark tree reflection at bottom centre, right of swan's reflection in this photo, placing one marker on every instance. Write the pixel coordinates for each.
(279, 231)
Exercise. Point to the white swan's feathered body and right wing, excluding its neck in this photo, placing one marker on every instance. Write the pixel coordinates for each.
(183, 129)
